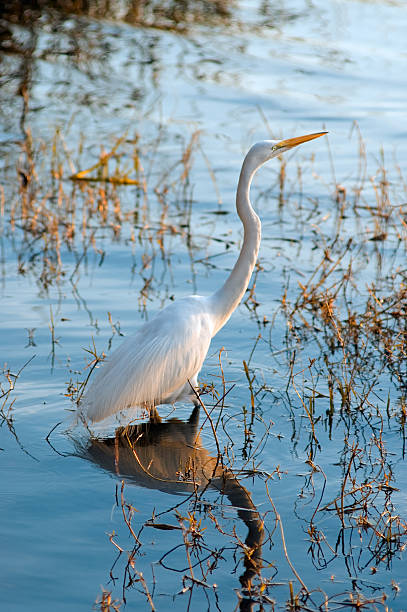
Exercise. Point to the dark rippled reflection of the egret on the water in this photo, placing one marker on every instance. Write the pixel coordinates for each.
(168, 456)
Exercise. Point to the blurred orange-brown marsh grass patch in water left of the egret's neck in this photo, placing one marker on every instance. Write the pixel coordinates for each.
(59, 208)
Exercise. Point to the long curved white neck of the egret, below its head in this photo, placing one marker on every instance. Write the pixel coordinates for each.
(227, 298)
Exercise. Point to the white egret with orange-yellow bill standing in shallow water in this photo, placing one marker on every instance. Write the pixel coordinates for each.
(160, 363)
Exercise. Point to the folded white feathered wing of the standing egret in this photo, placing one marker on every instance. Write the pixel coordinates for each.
(153, 363)
